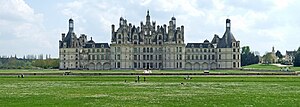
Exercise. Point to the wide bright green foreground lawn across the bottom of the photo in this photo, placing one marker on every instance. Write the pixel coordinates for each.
(156, 91)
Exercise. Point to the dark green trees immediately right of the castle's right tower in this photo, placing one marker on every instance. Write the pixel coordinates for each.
(248, 57)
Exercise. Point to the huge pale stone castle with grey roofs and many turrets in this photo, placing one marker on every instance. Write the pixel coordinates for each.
(148, 46)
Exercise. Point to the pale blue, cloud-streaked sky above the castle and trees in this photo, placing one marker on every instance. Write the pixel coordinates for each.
(35, 26)
